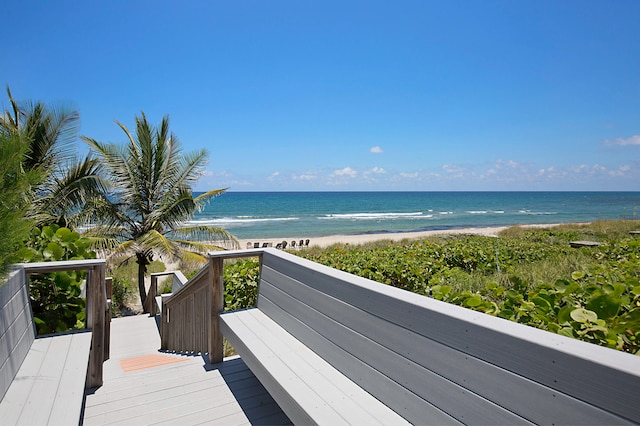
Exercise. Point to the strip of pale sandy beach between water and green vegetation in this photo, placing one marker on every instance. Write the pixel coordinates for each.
(358, 239)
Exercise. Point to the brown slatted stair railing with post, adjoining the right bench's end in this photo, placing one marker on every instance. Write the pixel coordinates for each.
(190, 317)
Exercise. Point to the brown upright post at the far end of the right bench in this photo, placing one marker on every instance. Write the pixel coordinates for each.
(216, 345)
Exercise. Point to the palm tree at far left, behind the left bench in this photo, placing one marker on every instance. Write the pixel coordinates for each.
(67, 185)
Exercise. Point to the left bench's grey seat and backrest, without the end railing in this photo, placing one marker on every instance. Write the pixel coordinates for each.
(42, 378)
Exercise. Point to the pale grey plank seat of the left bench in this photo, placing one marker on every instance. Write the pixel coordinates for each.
(49, 386)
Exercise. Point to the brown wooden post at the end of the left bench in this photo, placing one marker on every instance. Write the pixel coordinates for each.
(96, 304)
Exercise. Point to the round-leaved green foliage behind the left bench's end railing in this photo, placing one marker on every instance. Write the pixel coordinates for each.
(56, 297)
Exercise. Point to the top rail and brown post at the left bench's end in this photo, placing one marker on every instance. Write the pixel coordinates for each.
(97, 315)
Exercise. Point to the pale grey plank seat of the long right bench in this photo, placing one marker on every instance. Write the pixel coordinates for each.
(299, 379)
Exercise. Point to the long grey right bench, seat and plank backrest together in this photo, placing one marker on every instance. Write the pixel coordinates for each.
(334, 348)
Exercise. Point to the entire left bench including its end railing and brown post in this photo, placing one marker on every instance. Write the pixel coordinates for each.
(42, 378)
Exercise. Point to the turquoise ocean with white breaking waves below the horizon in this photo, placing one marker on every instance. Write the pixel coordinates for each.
(312, 214)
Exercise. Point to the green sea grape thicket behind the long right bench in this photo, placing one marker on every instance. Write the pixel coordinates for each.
(598, 303)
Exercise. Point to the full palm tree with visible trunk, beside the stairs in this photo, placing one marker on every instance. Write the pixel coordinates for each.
(151, 201)
